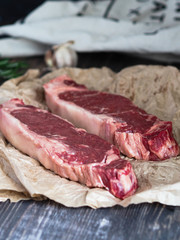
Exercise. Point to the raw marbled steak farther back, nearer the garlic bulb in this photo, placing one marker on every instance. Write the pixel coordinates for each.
(112, 117)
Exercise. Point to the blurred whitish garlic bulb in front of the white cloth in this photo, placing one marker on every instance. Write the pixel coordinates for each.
(61, 56)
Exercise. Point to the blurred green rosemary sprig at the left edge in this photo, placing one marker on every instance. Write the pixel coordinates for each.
(10, 69)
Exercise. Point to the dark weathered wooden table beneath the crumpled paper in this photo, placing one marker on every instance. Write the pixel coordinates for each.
(31, 220)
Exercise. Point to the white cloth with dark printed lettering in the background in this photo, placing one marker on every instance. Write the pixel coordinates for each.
(135, 26)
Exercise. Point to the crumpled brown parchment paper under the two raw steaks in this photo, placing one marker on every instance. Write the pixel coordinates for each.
(156, 89)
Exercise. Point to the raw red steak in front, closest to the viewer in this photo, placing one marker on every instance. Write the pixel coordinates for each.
(70, 152)
